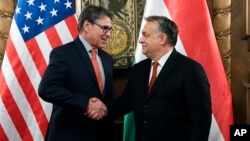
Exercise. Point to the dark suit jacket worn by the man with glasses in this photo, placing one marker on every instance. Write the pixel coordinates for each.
(68, 82)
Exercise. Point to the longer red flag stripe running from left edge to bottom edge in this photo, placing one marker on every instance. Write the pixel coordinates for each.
(14, 113)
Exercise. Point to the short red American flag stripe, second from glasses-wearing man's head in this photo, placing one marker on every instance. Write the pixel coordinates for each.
(53, 37)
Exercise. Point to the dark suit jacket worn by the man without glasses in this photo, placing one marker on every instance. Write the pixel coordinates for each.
(178, 107)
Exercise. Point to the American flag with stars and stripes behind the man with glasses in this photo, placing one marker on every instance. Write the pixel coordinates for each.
(37, 27)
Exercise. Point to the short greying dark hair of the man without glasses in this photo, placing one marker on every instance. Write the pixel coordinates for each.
(167, 26)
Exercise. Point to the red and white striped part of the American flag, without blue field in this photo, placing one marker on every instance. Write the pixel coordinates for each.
(24, 116)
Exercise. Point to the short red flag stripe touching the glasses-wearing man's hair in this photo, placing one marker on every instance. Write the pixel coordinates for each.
(71, 23)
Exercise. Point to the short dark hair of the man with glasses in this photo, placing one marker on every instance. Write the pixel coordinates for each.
(92, 13)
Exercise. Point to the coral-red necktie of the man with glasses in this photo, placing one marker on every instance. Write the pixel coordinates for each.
(97, 69)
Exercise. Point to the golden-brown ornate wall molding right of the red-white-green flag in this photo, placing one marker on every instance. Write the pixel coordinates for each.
(222, 29)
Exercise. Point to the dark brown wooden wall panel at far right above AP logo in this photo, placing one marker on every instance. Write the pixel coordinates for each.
(240, 62)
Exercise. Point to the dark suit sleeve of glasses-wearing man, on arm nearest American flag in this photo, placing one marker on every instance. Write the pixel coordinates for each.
(51, 87)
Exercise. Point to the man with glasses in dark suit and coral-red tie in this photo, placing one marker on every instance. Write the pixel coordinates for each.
(76, 72)
